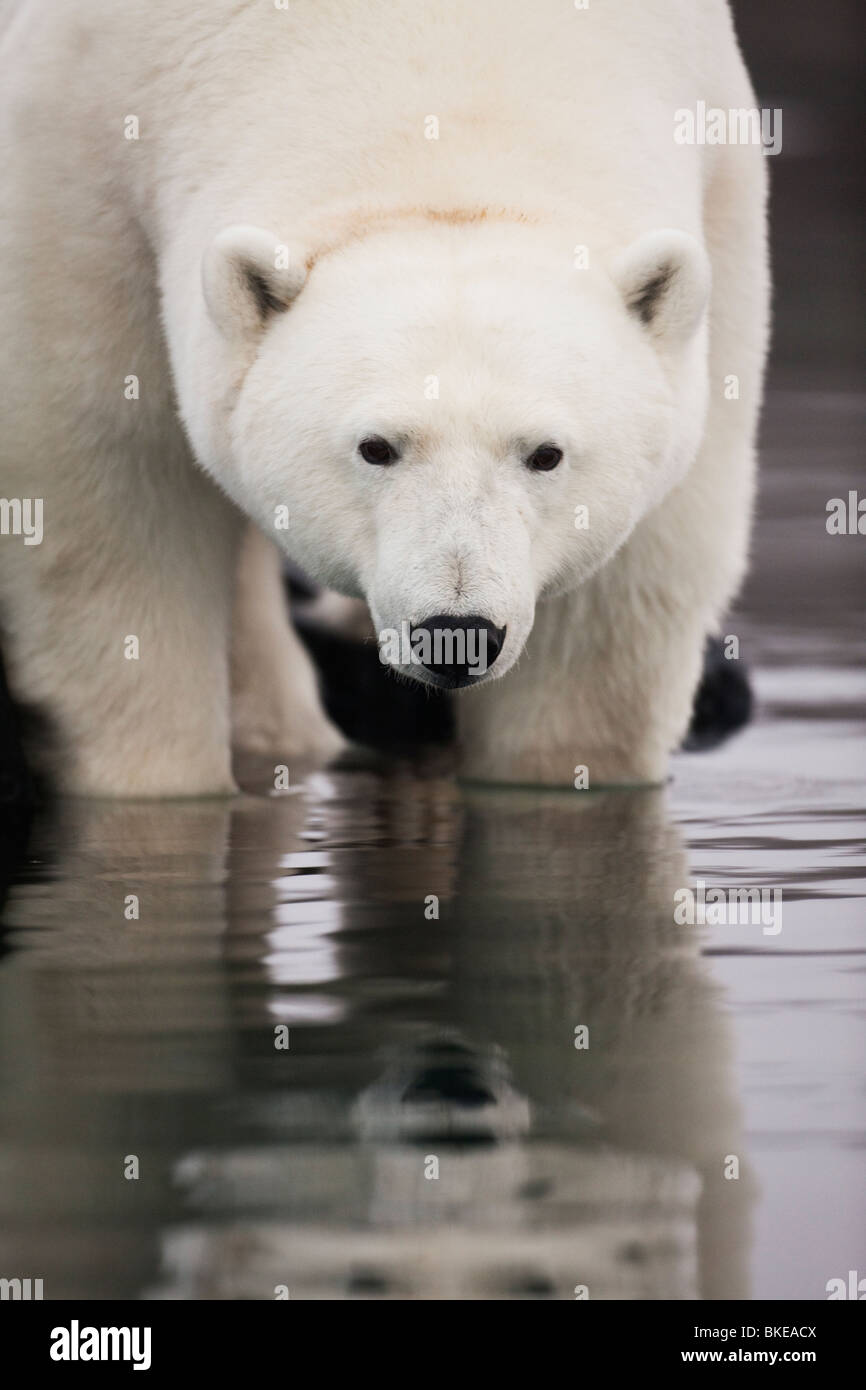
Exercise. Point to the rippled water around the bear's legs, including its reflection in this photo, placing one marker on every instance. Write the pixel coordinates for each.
(427, 1125)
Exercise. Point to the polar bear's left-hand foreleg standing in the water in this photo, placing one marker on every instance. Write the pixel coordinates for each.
(119, 625)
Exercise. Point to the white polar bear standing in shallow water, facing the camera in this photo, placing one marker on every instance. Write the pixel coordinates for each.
(432, 301)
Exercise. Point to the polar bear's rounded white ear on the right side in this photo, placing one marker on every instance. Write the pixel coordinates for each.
(665, 280)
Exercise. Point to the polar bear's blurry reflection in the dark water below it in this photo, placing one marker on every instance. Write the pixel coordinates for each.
(409, 1038)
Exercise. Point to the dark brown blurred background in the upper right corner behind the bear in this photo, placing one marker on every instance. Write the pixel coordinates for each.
(808, 60)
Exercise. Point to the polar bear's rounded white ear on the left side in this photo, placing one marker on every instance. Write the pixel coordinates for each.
(248, 276)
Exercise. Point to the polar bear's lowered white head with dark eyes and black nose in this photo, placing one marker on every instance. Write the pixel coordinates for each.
(451, 420)
